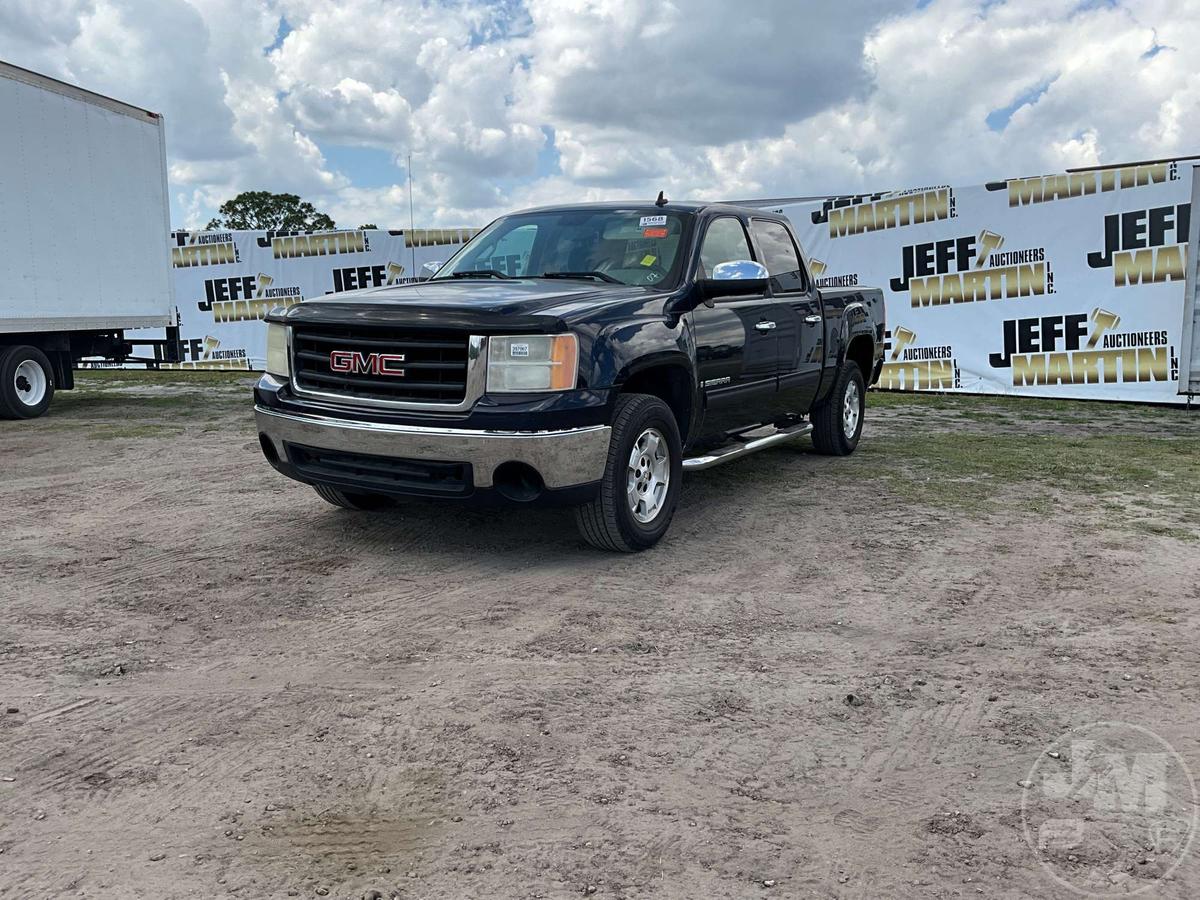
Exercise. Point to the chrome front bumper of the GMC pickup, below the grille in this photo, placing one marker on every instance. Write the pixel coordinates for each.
(563, 459)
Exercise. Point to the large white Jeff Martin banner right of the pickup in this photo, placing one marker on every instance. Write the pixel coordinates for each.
(1058, 286)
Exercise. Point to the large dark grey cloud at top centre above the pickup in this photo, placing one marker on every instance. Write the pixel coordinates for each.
(703, 71)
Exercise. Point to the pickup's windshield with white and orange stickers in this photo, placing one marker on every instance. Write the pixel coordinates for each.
(627, 247)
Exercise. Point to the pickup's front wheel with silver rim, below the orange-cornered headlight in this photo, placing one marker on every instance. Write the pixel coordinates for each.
(610, 523)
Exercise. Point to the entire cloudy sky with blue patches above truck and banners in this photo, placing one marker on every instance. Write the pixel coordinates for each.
(520, 103)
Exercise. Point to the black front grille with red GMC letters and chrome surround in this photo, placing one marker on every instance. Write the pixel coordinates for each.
(419, 367)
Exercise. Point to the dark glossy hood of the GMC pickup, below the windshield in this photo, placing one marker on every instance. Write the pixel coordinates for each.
(494, 305)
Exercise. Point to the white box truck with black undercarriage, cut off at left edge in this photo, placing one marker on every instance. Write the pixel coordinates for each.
(85, 224)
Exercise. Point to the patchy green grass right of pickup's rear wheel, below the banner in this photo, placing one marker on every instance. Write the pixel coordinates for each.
(1130, 466)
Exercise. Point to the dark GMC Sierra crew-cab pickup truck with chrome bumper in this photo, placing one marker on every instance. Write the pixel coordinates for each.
(584, 356)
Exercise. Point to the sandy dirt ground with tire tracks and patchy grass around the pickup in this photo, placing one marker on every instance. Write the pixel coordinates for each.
(831, 680)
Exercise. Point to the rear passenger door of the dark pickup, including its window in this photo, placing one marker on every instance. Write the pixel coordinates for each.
(799, 314)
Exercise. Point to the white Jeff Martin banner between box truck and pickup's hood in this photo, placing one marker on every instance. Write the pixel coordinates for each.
(227, 281)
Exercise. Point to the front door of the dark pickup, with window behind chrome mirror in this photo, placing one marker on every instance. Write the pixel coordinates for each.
(737, 353)
